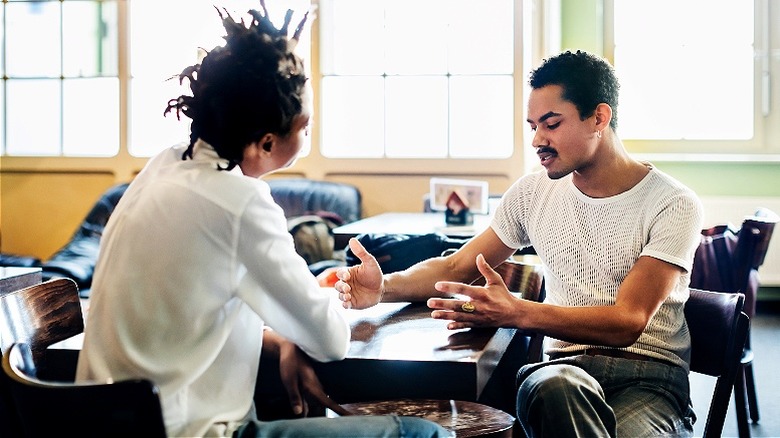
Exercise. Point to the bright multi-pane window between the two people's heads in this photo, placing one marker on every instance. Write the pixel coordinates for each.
(417, 78)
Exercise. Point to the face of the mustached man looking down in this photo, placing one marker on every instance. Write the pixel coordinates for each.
(563, 142)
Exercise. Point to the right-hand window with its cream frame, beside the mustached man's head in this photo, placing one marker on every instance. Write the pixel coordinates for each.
(696, 80)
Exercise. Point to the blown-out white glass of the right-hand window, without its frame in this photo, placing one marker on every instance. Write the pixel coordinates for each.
(686, 69)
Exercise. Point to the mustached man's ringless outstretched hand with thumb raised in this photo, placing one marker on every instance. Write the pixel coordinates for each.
(360, 286)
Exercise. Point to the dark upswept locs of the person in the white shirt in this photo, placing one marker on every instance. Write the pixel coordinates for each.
(251, 86)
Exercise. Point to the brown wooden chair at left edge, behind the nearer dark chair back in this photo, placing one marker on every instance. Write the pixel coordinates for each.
(39, 315)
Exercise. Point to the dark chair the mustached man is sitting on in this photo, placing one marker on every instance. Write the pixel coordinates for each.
(719, 329)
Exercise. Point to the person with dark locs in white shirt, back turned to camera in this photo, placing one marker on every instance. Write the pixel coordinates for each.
(197, 272)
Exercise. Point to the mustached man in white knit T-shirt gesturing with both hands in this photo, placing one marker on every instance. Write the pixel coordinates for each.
(616, 237)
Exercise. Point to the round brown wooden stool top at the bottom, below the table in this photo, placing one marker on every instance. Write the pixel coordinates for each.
(464, 419)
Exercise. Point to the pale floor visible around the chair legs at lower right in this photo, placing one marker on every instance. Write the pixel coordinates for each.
(765, 340)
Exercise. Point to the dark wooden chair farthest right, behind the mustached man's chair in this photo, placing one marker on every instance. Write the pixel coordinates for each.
(728, 260)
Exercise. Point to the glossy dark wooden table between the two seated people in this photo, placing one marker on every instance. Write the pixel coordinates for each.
(397, 351)
